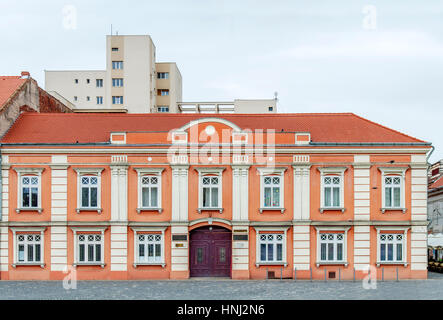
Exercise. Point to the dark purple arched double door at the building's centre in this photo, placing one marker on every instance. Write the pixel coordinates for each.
(210, 252)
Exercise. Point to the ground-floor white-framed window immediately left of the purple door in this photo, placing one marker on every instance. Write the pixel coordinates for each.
(150, 248)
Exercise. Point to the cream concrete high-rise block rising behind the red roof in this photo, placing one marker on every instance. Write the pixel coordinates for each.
(132, 82)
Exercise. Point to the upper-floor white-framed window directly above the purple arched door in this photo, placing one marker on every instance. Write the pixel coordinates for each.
(210, 188)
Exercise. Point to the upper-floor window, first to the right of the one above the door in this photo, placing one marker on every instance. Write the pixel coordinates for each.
(271, 188)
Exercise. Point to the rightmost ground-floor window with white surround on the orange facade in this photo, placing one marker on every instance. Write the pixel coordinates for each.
(391, 245)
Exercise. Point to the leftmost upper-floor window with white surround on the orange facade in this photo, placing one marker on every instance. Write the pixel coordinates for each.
(29, 189)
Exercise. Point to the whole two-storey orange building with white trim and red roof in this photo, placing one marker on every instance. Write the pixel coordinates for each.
(141, 196)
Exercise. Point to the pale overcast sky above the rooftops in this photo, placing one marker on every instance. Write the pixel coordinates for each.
(382, 60)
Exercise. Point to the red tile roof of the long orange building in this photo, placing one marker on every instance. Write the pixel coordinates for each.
(93, 128)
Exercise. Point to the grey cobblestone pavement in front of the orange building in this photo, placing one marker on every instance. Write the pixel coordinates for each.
(224, 289)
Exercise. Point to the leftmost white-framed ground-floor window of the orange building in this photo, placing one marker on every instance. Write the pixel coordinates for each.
(29, 248)
